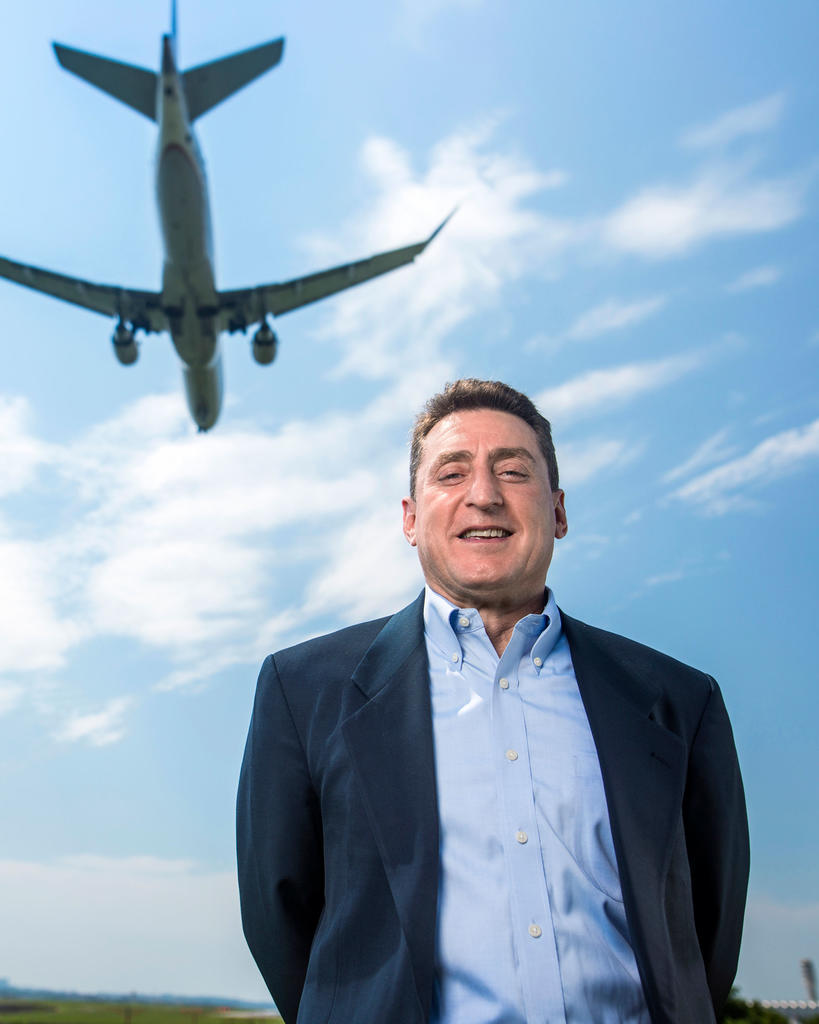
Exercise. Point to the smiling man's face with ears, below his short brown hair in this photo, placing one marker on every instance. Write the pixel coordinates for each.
(485, 518)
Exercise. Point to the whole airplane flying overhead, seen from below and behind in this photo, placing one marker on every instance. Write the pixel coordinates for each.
(190, 307)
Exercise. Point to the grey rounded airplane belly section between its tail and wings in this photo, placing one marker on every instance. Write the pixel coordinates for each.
(184, 208)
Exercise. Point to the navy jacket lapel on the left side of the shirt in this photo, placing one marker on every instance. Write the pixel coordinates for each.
(391, 744)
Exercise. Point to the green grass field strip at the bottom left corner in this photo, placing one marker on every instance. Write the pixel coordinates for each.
(94, 1012)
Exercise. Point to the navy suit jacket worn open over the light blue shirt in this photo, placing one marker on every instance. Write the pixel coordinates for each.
(338, 824)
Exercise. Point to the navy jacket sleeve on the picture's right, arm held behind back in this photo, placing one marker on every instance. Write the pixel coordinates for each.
(717, 838)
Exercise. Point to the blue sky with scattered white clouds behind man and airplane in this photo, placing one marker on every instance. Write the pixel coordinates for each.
(636, 247)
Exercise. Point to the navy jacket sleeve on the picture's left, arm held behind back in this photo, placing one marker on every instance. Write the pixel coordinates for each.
(280, 850)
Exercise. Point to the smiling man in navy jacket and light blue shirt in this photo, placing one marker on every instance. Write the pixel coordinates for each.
(481, 810)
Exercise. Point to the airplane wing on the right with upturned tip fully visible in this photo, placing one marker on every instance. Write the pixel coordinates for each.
(248, 306)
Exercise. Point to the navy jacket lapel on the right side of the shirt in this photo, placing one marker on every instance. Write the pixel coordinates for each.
(643, 766)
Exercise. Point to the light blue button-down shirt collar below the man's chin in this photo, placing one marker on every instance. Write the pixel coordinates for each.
(445, 623)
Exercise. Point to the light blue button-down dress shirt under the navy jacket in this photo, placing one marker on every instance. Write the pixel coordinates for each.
(532, 926)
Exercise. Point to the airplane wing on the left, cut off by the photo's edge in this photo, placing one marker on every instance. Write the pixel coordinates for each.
(143, 310)
